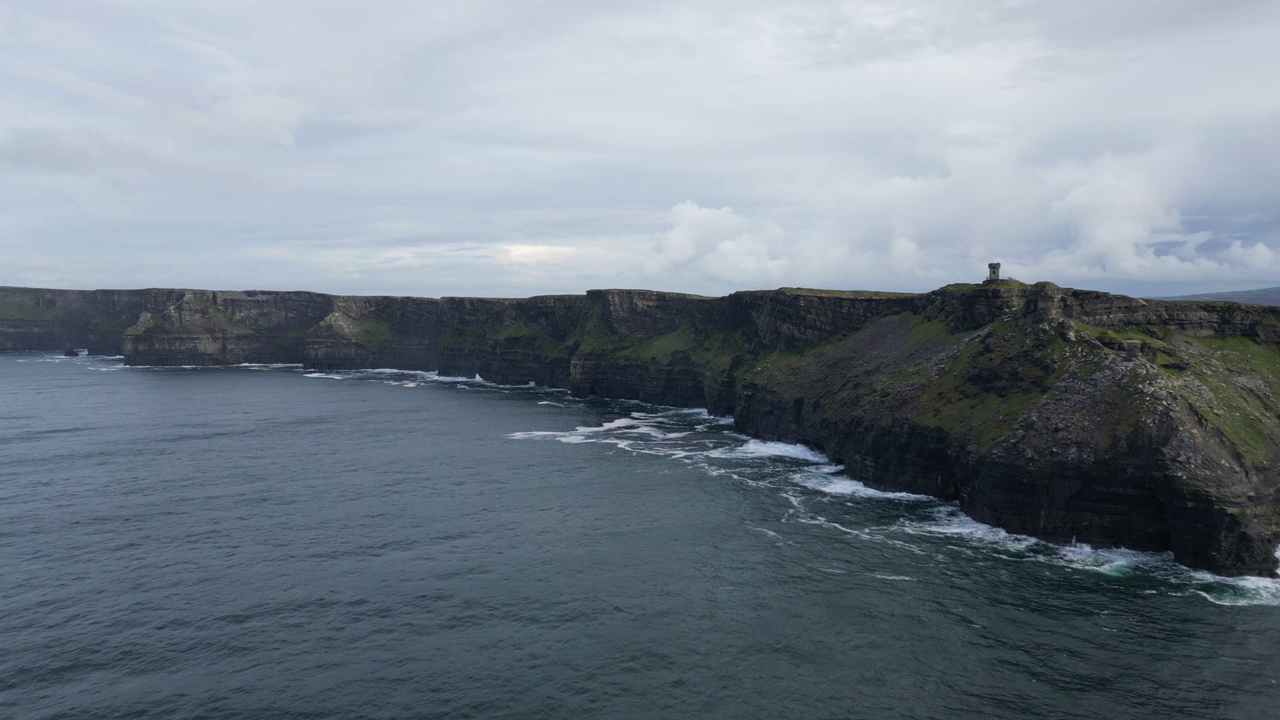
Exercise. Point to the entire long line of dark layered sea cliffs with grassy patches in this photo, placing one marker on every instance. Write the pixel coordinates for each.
(1063, 414)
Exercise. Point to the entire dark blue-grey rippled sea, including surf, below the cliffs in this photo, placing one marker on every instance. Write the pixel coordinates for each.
(262, 543)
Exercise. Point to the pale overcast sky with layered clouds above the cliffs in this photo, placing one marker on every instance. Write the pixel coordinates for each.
(514, 148)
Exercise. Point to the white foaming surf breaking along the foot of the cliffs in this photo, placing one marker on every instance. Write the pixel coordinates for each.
(817, 493)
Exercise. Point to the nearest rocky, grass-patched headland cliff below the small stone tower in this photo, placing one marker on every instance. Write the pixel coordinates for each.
(1123, 434)
